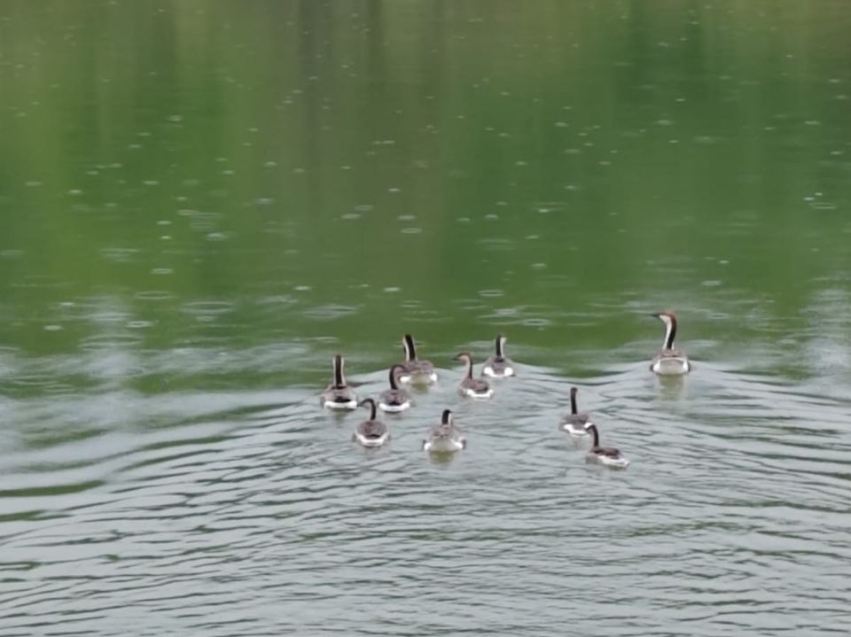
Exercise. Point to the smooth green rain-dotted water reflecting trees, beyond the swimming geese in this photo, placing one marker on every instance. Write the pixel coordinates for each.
(237, 174)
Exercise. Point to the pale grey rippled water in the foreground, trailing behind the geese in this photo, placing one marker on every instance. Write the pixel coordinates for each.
(233, 512)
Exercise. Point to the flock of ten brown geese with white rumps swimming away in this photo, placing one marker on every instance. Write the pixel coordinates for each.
(445, 437)
